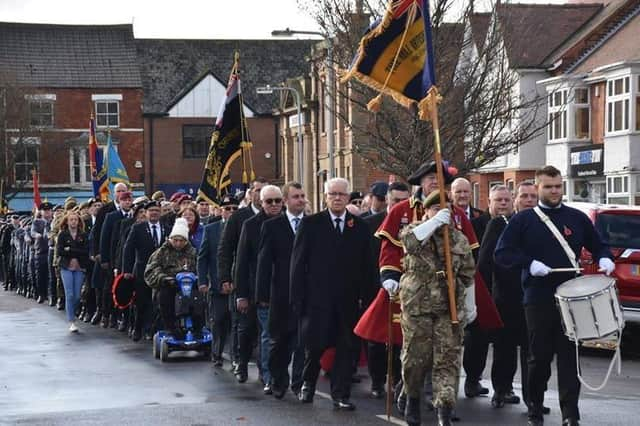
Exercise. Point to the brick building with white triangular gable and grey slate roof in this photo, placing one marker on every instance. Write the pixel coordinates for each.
(184, 84)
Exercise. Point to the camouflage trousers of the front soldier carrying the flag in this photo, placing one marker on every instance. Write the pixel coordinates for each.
(431, 342)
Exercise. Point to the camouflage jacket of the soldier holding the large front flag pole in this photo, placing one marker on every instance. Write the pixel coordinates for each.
(423, 288)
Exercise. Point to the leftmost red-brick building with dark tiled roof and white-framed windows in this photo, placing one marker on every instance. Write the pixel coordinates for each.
(64, 73)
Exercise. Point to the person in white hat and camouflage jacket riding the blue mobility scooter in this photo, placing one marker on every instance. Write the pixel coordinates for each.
(175, 255)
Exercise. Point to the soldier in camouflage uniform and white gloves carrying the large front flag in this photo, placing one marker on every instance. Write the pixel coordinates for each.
(430, 340)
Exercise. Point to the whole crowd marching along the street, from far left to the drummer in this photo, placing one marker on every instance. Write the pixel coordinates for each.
(288, 284)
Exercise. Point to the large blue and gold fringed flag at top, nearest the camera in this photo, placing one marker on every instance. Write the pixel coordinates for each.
(396, 57)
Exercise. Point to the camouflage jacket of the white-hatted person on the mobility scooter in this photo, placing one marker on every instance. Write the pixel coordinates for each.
(167, 262)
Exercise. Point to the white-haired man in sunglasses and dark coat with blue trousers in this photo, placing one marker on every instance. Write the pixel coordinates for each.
(250, 312)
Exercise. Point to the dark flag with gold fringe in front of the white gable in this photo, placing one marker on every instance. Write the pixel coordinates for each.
(229, 141)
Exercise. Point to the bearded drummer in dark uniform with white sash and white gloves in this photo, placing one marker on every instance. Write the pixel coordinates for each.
(528, 244)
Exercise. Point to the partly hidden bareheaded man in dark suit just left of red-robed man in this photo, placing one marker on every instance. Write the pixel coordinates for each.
(377, 352)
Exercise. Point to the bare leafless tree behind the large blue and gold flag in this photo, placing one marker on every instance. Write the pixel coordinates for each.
(480, 119)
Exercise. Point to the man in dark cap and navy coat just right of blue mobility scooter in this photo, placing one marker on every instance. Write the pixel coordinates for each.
(208, 275)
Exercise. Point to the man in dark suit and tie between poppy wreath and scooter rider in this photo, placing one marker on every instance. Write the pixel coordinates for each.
(144, 238)
